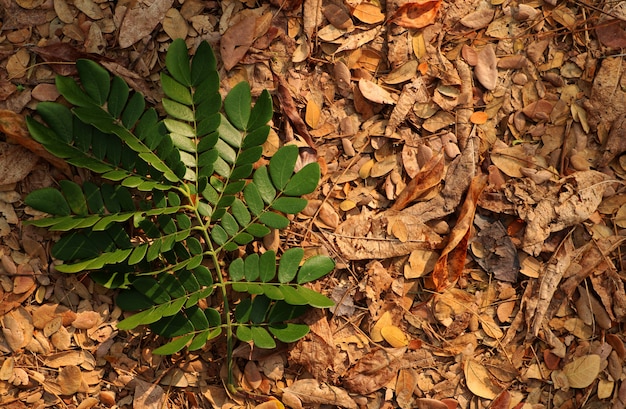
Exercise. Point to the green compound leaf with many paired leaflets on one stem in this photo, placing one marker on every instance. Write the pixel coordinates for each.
(174, 198)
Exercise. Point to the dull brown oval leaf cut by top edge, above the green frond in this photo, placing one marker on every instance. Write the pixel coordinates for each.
(140, 21)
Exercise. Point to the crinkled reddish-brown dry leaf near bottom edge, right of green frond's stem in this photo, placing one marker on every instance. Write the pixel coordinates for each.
(374, 370)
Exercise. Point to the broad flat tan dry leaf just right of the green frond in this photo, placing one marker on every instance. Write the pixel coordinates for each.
(365, 237)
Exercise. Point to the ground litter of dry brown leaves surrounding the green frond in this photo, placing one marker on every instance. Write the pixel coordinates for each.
(472, 196)
